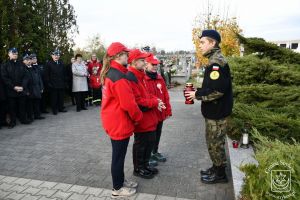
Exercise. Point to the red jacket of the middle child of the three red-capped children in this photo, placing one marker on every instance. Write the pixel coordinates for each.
(147, 102)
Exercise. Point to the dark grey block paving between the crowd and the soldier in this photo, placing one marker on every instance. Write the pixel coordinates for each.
(72, 148)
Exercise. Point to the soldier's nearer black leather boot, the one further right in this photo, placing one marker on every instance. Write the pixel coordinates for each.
(218, 176)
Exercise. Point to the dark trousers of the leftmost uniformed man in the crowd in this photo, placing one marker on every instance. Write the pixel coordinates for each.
(17, 104)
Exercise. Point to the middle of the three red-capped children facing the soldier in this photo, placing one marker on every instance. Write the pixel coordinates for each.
(144, 132)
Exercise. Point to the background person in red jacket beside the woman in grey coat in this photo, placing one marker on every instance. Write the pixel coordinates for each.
(94, 69)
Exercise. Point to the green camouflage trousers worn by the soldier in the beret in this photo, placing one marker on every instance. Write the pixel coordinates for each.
(215, 140)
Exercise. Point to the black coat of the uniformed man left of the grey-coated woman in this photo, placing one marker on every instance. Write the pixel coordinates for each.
(55, 75)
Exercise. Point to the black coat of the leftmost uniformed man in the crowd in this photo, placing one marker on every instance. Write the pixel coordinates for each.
(14, 74)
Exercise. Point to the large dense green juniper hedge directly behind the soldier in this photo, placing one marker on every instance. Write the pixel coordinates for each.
(267, 96)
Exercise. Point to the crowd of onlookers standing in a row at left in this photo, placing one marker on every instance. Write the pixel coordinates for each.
(28, 88)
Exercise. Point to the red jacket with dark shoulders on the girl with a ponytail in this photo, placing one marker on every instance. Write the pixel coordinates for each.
(119, 110)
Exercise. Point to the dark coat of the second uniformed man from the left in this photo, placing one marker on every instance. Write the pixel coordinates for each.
(35, 83)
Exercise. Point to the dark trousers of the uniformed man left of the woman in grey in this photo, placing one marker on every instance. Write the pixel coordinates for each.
(57, 99)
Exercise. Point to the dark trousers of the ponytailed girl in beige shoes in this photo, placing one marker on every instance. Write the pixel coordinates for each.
(119, 150)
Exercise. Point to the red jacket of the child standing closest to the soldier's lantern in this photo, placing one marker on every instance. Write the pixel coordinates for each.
(157, 87)
